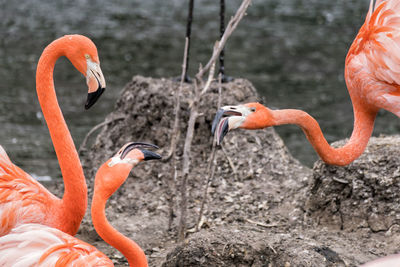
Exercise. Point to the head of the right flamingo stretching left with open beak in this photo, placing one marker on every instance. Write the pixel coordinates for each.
(249, 116)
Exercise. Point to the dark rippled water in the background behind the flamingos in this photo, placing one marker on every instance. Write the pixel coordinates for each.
(293, 51)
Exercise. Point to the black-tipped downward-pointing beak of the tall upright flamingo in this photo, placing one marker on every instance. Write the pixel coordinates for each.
(96, 83)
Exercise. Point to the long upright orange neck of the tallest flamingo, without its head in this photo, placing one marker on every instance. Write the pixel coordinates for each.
(73, 206)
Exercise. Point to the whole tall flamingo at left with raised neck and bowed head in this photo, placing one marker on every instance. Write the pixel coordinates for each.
(23, 199)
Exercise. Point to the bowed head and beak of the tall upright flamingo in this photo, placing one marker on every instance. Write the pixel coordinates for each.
(82, 53)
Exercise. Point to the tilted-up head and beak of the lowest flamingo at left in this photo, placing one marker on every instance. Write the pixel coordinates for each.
(114, 172)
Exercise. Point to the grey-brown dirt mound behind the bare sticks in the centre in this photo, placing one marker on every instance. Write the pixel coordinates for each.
(256, 178)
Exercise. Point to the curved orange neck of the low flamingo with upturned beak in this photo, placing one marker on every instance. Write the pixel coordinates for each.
(132, 252)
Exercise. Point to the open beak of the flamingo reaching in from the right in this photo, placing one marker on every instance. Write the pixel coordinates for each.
(226, 119)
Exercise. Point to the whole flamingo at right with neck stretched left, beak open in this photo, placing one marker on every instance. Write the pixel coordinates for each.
(372, 73)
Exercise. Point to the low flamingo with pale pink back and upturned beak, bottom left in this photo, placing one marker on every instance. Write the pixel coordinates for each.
(40, 245)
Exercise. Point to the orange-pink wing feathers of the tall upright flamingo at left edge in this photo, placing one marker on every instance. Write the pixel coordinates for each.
(22, 198)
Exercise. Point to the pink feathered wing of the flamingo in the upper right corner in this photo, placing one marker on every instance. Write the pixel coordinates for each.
(373, 61)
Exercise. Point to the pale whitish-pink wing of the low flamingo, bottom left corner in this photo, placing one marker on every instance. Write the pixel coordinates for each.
(40, 245)
